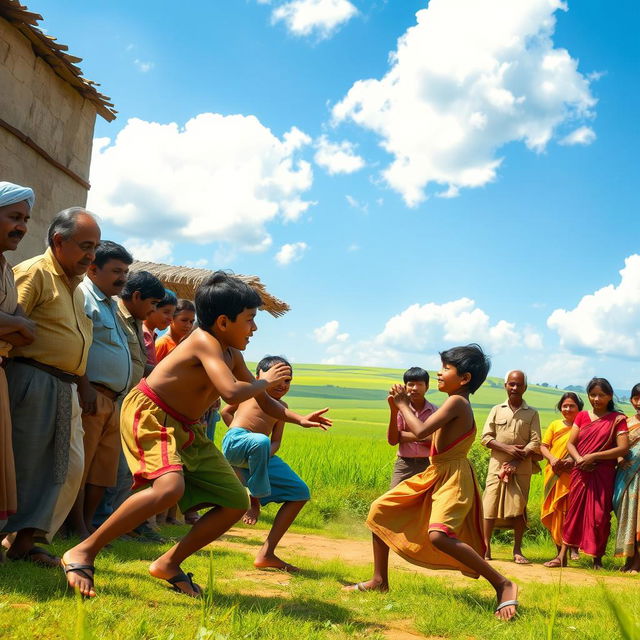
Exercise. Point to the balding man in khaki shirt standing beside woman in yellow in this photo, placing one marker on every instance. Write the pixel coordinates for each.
(512, 432)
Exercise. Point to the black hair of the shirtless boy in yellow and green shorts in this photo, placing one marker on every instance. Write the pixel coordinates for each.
(222, 294)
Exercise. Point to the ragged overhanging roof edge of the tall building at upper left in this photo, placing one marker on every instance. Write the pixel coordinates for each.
(54, 54)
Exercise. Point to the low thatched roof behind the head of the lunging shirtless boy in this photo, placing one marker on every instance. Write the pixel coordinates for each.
(185, 280)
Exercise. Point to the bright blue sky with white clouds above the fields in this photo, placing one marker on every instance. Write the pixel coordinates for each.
(407, 175)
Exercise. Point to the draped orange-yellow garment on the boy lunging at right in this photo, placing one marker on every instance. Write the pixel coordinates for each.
(445, 497)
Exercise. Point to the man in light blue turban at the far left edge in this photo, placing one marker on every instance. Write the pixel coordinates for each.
(16, 329)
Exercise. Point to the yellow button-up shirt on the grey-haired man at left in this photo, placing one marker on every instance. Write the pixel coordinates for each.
(56, 304)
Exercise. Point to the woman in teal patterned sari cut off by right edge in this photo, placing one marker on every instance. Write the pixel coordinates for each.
(626, 495)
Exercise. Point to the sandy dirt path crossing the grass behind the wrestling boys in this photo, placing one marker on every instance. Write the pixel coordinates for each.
(358, 552)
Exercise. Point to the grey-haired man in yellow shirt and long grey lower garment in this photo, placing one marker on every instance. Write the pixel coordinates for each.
(42, 377)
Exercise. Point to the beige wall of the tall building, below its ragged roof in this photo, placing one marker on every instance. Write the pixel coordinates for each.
(39, 103)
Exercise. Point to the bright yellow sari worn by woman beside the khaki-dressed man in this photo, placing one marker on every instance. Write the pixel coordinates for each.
(556, 488)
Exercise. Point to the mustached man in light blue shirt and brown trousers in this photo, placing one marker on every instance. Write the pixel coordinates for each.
(105, 382)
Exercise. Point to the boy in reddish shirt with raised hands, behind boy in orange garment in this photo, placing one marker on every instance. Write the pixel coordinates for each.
(413, 455)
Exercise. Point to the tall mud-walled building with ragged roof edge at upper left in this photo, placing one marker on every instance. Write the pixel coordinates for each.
(47, 117)
